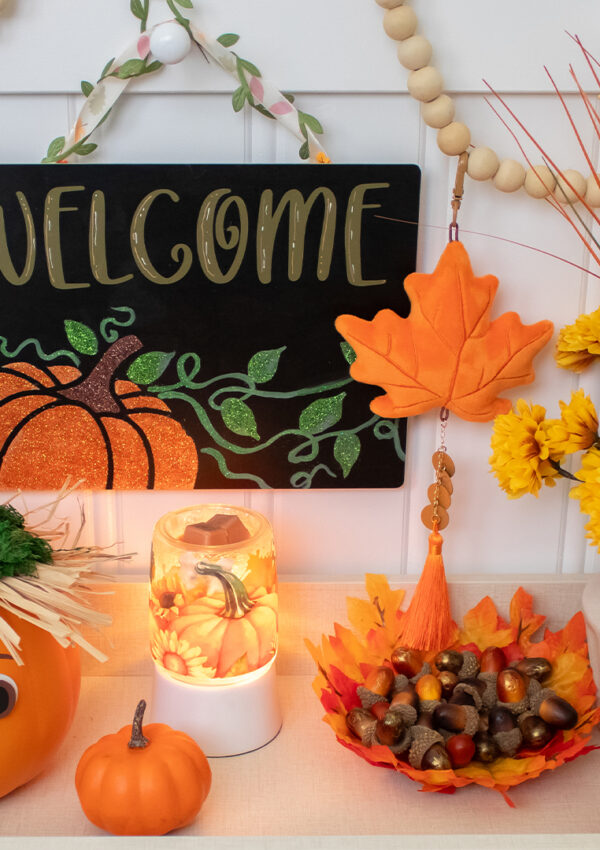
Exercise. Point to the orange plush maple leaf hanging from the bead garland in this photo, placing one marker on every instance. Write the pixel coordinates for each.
(447, 353)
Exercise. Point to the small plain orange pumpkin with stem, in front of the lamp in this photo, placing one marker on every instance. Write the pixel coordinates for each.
(143, 782)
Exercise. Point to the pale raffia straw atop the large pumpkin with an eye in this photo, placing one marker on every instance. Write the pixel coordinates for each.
(55, 598)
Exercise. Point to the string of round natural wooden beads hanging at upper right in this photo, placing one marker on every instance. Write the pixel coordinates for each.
(437, 110)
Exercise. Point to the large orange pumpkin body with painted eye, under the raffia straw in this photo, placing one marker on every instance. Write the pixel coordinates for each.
(37, 702)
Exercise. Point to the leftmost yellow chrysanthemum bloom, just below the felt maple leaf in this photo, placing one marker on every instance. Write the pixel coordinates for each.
(522, 450)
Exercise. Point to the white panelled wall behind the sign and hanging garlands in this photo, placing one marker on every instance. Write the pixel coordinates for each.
(335, 56)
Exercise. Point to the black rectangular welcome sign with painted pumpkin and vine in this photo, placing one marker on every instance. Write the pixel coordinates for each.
(172, 326)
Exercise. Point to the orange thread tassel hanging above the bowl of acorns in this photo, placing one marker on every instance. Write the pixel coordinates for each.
(428, 622)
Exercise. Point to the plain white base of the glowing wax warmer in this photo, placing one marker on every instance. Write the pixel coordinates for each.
(225, 719)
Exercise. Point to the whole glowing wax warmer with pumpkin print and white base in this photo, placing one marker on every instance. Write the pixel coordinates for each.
(213, 621)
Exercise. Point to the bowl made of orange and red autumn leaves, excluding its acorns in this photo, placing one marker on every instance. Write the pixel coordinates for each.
(345, 659)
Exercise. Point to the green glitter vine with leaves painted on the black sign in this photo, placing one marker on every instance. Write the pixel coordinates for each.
(223, 404)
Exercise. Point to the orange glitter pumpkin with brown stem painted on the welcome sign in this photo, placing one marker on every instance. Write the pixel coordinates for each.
(57, 423)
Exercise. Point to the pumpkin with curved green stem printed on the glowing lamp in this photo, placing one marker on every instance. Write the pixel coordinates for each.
(237, 632)
